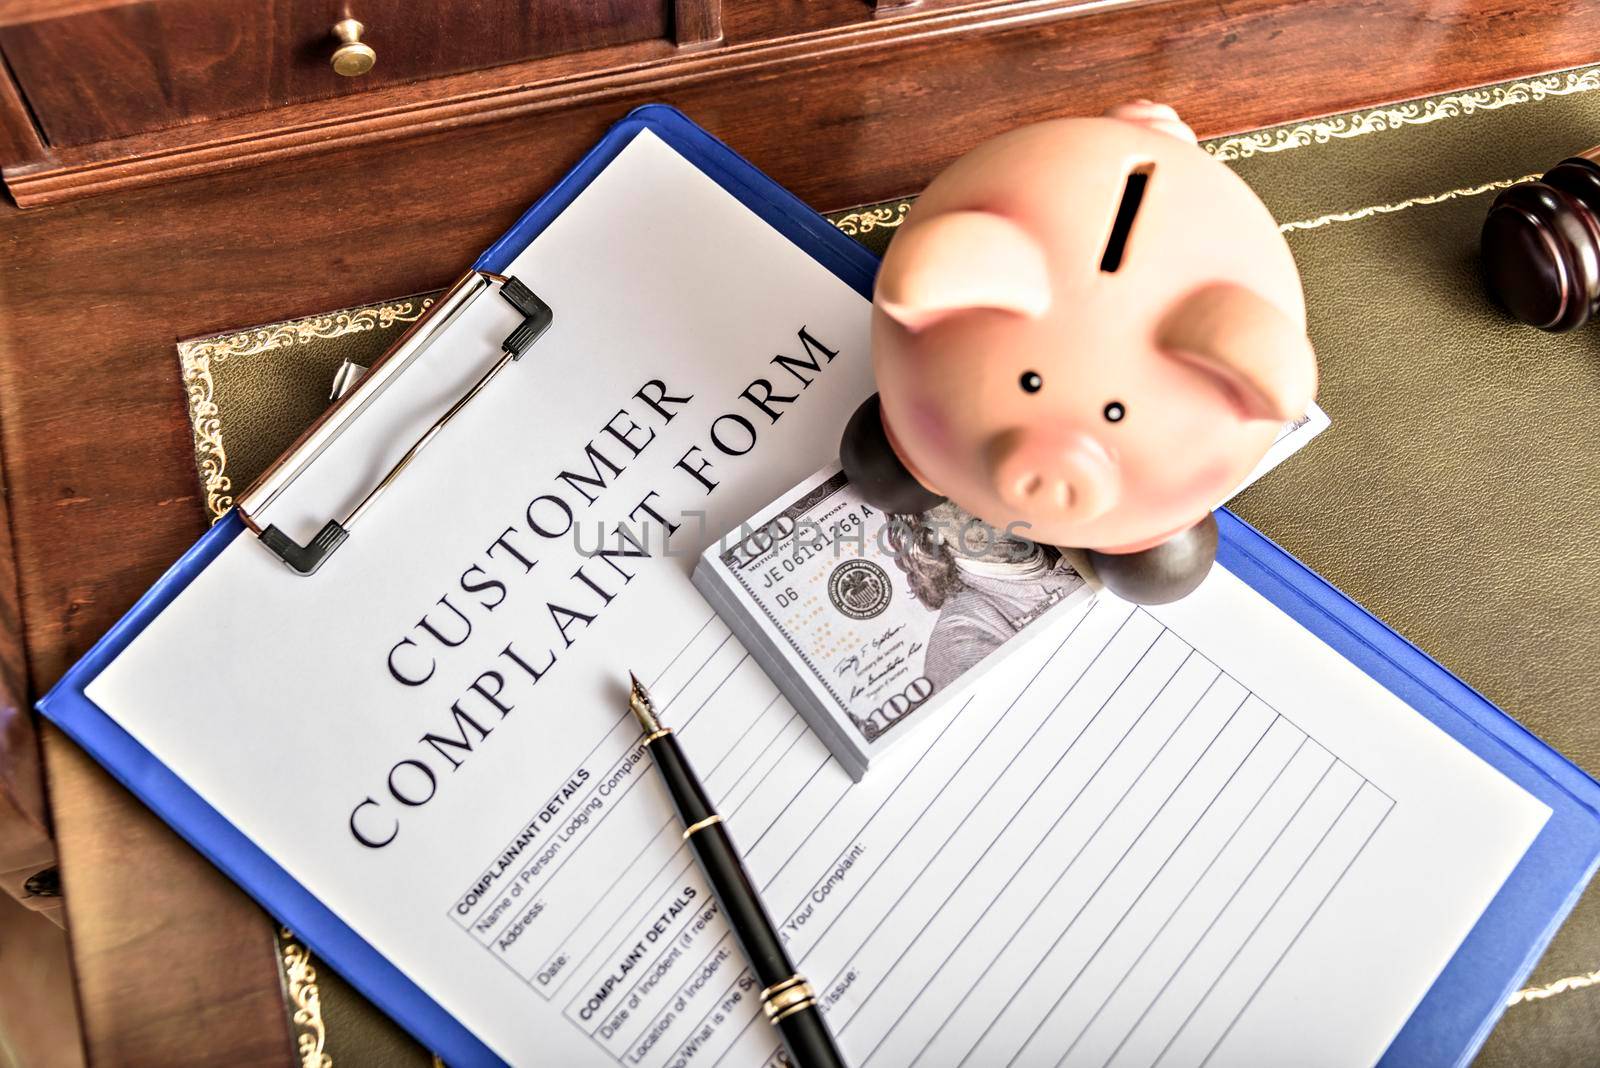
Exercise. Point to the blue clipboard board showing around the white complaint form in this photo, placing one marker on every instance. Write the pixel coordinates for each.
(1447, 1027)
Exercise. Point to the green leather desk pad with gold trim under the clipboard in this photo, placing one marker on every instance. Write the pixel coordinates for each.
(1457, 495)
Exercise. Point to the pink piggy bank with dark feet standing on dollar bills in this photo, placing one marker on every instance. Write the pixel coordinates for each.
(1087, 332)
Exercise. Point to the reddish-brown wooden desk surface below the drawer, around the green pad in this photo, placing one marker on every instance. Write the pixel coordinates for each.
(174, 965)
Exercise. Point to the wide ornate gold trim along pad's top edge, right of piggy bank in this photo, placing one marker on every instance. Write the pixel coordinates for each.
(1410, 114)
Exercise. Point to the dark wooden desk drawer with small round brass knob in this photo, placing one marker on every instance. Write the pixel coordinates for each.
(153, 65)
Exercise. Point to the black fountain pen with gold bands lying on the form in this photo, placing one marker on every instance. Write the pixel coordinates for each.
(786, 997)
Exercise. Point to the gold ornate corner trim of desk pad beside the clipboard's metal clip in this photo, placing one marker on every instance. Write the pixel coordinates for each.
(199, 357)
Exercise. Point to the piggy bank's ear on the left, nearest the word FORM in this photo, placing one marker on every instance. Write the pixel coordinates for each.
(959, 261)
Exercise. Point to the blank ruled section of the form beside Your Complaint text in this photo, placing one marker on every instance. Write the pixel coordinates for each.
(1150, 842)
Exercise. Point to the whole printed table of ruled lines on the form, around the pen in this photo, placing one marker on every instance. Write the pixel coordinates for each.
(1102, 859)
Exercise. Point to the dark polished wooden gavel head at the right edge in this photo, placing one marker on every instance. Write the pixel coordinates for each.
(1542, 245)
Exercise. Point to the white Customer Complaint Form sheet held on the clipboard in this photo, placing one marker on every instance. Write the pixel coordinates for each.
(1162, 835)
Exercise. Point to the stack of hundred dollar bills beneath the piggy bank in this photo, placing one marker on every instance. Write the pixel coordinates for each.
(871, 623)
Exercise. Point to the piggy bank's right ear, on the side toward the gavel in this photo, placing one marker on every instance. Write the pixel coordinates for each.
(1257, 354)
